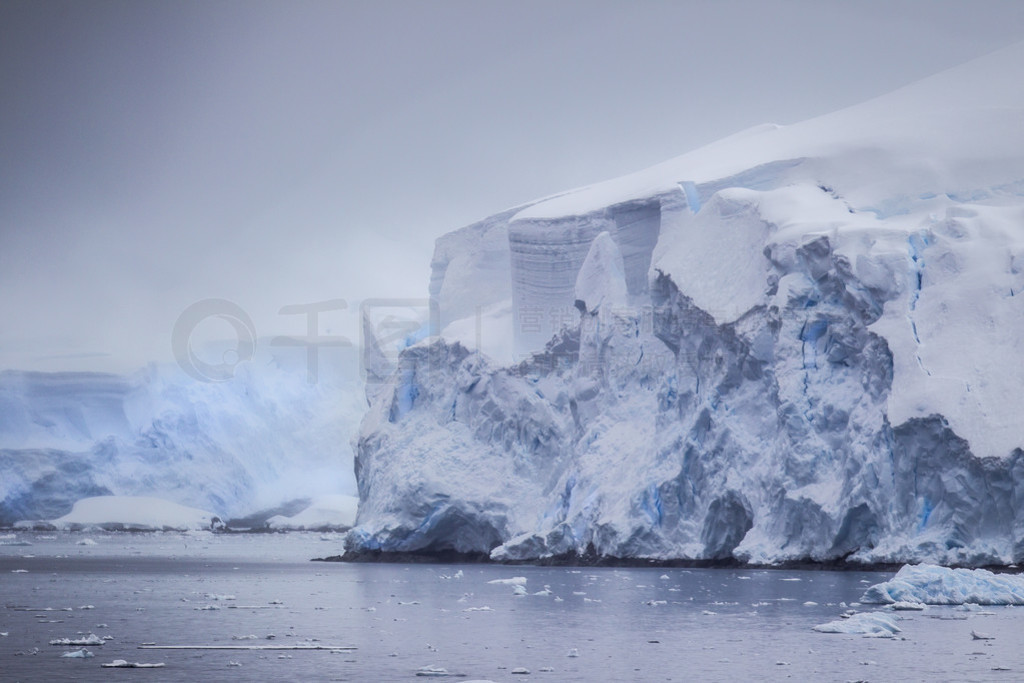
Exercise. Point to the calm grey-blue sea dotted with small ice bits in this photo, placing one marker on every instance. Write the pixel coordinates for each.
(587, 625)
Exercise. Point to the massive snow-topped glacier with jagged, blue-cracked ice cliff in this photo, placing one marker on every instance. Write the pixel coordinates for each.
(798, 344)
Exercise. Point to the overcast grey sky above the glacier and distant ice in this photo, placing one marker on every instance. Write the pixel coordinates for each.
(156, 154)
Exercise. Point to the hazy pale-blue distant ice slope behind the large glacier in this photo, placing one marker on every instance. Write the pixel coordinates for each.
(261, 440)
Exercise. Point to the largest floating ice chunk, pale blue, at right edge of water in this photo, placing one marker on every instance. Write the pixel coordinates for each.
(942, 586)
